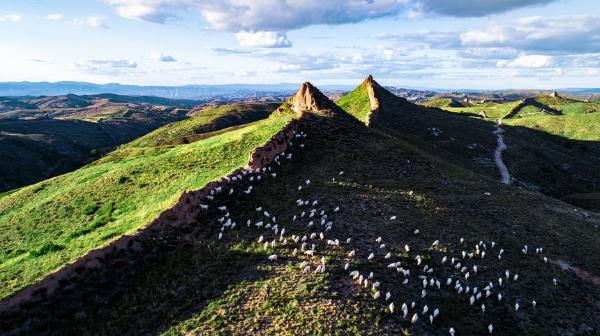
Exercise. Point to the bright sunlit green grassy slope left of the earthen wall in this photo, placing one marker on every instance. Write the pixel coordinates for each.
(48, 224)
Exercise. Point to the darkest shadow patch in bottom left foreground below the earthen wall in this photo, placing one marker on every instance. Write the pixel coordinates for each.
(172, 277)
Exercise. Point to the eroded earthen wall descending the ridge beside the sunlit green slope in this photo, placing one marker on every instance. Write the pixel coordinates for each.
(185, 212)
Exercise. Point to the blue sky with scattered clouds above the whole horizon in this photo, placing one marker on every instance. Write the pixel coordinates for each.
(446, 44)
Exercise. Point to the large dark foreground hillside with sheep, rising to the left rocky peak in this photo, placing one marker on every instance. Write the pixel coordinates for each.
(349, 231)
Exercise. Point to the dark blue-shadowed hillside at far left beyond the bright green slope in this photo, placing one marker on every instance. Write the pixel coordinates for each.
(37, 149)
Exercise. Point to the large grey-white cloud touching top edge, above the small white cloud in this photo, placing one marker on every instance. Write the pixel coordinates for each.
(261, 15)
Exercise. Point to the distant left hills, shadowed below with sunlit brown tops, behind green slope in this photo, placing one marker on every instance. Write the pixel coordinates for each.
(48, 136)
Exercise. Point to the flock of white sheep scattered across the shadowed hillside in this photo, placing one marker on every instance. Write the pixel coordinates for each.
(459, 268)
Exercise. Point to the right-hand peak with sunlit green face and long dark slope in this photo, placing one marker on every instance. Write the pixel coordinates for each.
(538, 160)
